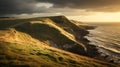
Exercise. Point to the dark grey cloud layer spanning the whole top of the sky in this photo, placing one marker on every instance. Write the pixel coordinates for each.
(29, 6)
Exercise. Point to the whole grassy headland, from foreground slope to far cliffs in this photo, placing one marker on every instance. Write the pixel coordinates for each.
(53, 41)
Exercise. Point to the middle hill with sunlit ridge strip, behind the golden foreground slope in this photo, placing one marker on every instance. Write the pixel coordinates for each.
(47, 30)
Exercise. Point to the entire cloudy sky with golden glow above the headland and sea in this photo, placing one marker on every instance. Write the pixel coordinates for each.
(81, 10)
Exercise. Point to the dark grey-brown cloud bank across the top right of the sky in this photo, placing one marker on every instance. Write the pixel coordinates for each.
(102, 5)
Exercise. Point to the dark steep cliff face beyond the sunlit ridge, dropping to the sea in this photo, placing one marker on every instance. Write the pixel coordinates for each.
(78, 30)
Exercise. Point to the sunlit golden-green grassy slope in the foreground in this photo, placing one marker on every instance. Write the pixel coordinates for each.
(19, 49)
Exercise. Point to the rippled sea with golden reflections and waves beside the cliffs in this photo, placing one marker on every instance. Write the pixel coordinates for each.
(106, 37)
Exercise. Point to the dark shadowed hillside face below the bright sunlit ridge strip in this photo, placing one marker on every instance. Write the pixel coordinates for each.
(44, 32)
